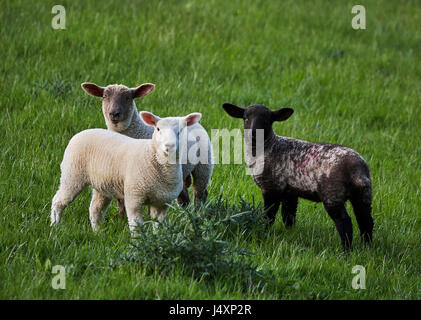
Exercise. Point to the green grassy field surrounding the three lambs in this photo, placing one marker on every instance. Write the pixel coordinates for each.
(359, 88)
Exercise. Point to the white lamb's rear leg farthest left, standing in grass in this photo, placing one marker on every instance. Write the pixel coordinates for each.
(66, 193)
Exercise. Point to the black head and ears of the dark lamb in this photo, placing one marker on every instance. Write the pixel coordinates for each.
(258, 116)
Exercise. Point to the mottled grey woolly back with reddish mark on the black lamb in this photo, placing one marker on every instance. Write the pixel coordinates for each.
(303, 166)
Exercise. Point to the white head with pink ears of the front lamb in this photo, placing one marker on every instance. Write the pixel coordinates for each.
(168, 131)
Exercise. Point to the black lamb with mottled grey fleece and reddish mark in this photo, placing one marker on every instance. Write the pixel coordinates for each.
(292, 169)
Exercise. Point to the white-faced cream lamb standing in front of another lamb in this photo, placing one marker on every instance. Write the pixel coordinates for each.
(140, 171)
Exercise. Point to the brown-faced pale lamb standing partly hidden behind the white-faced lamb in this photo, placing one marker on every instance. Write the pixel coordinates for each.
(121, 115)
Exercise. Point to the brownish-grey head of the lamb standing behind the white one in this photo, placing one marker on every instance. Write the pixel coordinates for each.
(118, 104)
